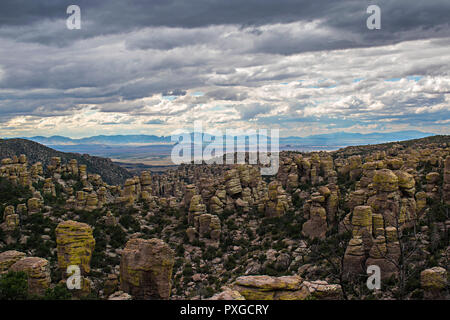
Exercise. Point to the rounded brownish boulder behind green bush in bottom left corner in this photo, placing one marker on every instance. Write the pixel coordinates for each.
(38, 273)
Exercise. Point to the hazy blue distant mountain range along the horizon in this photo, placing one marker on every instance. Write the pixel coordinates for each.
(338, 139)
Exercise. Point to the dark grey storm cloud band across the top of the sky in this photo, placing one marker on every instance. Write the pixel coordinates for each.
(401, 20)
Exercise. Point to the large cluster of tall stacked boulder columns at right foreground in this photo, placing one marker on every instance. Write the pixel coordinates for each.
(375, 226)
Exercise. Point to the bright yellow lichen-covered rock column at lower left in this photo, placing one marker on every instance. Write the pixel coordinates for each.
(75, 244)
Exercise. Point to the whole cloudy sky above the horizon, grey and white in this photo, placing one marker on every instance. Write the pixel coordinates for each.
(150, 67)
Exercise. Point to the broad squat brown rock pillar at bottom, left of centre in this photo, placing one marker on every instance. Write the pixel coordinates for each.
(146, 269)
